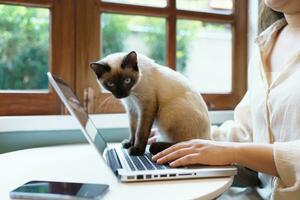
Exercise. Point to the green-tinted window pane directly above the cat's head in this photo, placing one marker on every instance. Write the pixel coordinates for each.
(125, 33)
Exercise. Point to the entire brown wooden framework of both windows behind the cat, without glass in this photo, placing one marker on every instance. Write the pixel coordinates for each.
(75, 42)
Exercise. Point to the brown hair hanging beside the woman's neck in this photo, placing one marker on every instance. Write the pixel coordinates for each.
(267, 16)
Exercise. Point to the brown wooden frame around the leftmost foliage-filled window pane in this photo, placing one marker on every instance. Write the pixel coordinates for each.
(61, 61)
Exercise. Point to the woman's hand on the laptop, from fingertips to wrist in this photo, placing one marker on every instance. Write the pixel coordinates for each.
(198, 152)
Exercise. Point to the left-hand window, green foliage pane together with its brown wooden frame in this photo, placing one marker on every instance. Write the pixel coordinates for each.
(33, 41)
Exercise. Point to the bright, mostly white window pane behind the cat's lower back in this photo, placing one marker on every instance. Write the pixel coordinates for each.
(204, 55)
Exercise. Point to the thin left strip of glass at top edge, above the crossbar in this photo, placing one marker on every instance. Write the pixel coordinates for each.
(154, 3)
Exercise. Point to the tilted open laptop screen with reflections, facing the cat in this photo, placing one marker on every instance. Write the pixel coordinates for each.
(72, 103)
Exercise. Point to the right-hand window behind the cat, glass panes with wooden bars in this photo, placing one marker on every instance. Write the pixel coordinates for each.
(203, 39)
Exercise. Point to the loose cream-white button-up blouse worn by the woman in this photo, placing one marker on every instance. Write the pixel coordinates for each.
(270, 113)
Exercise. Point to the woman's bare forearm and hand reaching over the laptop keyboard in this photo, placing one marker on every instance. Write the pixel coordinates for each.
(258, 157)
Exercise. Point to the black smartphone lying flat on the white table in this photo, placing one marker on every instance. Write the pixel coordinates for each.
(59, 191)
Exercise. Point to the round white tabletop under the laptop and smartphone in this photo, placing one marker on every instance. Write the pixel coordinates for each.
(81, 163)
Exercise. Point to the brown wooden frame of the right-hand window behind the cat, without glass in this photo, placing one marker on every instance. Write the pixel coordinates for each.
(237, 19)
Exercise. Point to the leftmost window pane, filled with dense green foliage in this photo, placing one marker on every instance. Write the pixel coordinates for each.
(24, 48)
